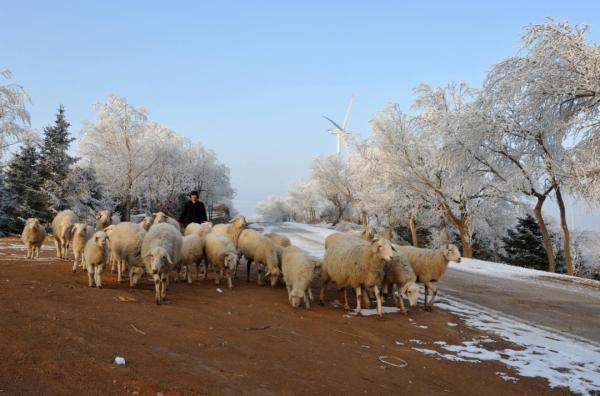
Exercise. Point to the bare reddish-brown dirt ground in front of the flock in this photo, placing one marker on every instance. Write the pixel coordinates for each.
(58, 336)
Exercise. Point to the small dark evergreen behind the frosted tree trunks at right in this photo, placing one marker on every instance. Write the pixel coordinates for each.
(524, 245)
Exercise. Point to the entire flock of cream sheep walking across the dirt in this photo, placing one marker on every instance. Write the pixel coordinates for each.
(156, 247)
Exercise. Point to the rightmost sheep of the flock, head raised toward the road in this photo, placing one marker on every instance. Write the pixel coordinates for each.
(429, 266)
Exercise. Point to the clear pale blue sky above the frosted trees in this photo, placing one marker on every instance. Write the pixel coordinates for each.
(252, 79)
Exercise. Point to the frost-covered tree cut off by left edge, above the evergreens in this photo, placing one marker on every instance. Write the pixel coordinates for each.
(14, 117)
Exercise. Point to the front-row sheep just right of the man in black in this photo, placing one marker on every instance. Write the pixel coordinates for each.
(222, 256)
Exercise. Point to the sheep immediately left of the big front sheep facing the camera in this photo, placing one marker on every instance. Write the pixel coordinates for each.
(126, 248)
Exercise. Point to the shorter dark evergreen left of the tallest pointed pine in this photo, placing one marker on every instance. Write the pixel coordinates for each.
(25, 185)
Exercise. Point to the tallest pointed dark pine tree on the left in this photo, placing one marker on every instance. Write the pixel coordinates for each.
(55, 160)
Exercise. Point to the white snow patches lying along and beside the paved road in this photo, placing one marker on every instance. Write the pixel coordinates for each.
(563, 359)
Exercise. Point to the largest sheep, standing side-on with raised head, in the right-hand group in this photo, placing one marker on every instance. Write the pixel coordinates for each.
(356, 263)
